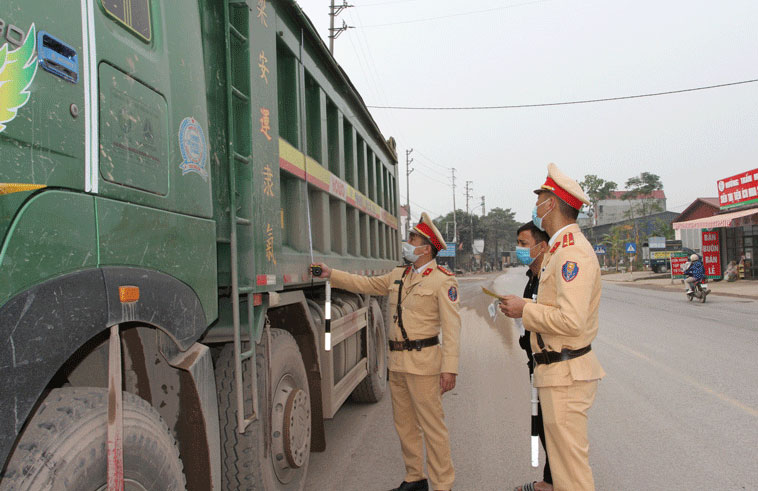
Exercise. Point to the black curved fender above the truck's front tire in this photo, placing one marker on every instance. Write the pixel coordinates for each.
(42, 327)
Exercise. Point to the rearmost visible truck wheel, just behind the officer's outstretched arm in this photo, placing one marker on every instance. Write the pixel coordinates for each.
(372, 388)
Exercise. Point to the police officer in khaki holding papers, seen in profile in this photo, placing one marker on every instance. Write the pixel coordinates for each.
(564, 319)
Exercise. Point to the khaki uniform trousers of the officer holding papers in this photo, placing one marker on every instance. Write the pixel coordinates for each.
(564, 412)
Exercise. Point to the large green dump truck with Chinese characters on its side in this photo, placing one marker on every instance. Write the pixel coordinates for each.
(168, 171)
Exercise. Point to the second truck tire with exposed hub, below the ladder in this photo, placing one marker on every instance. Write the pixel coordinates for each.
(245, 463)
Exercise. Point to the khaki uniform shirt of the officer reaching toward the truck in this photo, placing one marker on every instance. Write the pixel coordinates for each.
(430, 304)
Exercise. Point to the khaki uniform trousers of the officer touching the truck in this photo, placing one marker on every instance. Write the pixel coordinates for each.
(418, 414)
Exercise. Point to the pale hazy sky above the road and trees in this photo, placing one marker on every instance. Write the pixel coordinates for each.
(509, 52)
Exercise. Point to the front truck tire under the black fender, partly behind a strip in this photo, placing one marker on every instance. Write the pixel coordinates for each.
(64, 445)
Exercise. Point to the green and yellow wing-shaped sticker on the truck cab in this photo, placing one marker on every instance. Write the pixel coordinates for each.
(17, 70)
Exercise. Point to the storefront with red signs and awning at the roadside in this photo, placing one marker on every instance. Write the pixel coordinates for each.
(732, 233)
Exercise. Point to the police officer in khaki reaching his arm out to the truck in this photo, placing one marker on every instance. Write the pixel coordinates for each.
(424, 303)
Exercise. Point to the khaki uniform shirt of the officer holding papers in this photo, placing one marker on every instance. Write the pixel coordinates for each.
(566, 311)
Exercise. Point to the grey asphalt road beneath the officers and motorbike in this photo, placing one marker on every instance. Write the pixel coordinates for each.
(678, 409)
